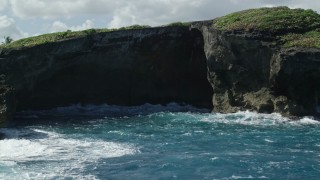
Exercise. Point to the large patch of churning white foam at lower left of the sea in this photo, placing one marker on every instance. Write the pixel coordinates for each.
(63, 157)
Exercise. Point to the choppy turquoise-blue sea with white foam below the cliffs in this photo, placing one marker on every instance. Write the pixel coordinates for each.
(158, 142)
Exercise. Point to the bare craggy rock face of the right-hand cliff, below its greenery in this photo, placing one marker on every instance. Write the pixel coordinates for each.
(249, 71)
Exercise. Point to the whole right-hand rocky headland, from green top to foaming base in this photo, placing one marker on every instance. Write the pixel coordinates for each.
(253, 69)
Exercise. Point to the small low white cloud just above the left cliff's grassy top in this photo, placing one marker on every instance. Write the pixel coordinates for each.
(59, 26)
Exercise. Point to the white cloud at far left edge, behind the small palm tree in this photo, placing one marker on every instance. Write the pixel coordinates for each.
(9, 28)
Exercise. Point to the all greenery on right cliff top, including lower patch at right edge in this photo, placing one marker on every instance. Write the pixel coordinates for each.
(294, 27)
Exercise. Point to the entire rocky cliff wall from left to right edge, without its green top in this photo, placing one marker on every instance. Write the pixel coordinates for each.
(201, 64)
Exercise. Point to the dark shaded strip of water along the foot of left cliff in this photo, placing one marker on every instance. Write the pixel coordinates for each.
(86, 114)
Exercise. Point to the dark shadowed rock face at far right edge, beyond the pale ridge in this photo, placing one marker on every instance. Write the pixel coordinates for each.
(295, 74)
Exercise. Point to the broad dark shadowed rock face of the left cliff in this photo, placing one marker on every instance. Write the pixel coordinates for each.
(129, 67)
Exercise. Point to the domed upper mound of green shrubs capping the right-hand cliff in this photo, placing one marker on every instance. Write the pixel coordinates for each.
(278, 20)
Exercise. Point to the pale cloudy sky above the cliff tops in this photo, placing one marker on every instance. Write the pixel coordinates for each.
(24, 18)
